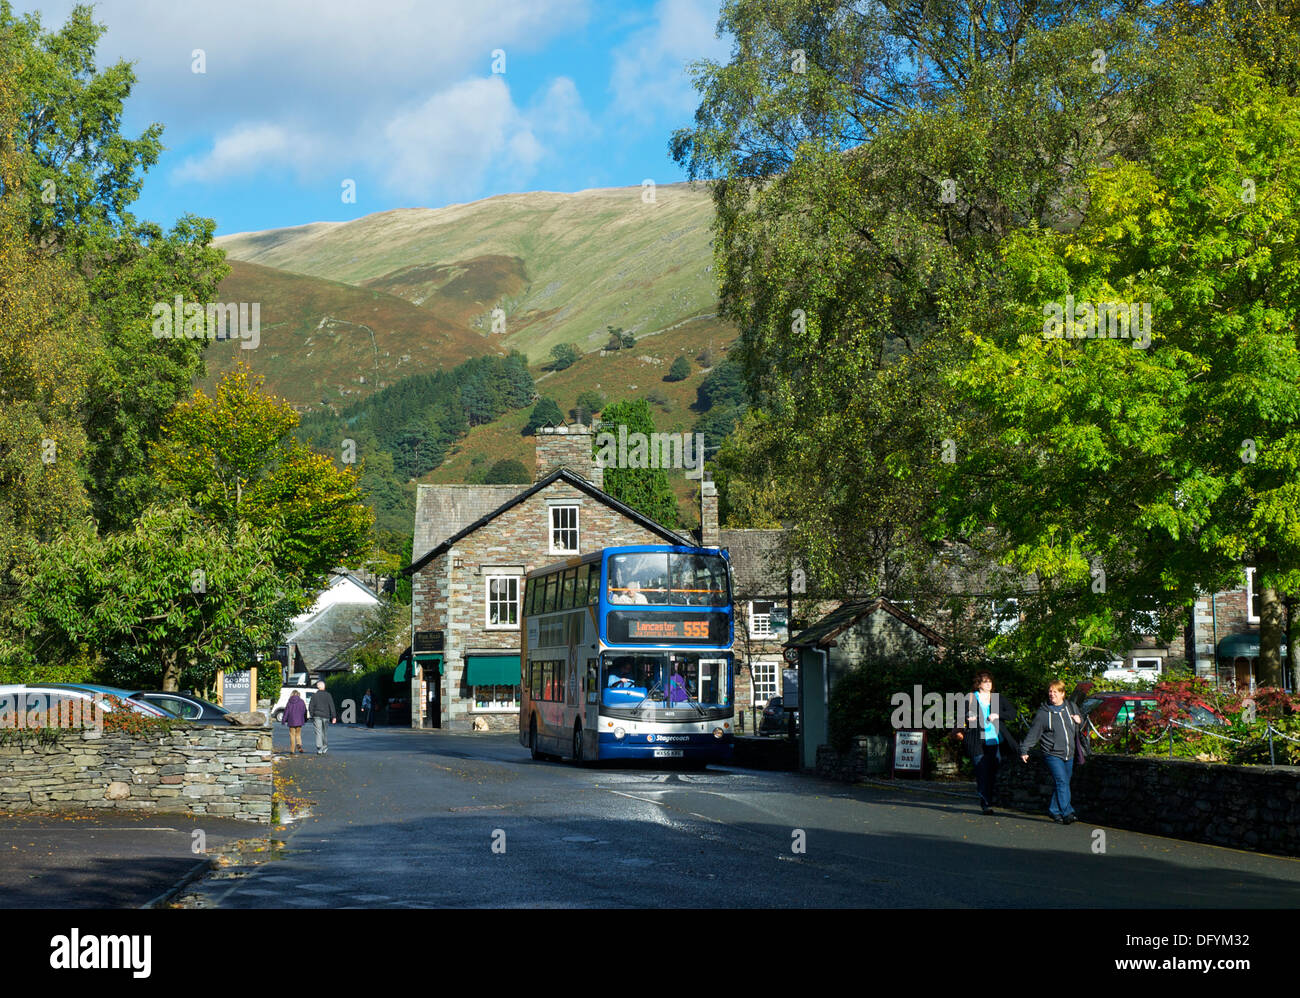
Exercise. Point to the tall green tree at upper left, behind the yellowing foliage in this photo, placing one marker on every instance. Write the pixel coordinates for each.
(77, 179)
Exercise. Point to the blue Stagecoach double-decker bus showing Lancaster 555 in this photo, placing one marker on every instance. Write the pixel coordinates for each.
(627, 654)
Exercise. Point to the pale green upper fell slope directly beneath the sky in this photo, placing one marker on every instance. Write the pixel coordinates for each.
(562, 267)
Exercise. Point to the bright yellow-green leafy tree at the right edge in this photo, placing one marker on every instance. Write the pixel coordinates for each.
(1132, 476)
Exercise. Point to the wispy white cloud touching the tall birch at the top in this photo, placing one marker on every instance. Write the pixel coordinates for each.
(649, 75)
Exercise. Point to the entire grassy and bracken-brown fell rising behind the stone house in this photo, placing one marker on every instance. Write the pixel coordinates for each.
(349, 309)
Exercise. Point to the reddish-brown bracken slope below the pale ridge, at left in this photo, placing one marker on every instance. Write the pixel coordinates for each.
(324, 341)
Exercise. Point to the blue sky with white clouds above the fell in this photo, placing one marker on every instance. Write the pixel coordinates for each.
(400, 98)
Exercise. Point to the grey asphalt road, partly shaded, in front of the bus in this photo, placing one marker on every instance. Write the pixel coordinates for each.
(415, 819)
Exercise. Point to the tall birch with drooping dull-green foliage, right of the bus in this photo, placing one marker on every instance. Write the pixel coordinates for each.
(861, 201)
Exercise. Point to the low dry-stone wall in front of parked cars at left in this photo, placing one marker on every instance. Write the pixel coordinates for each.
(197, 770)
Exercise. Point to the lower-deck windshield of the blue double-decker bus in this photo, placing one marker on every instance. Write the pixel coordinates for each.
(649, 683)
